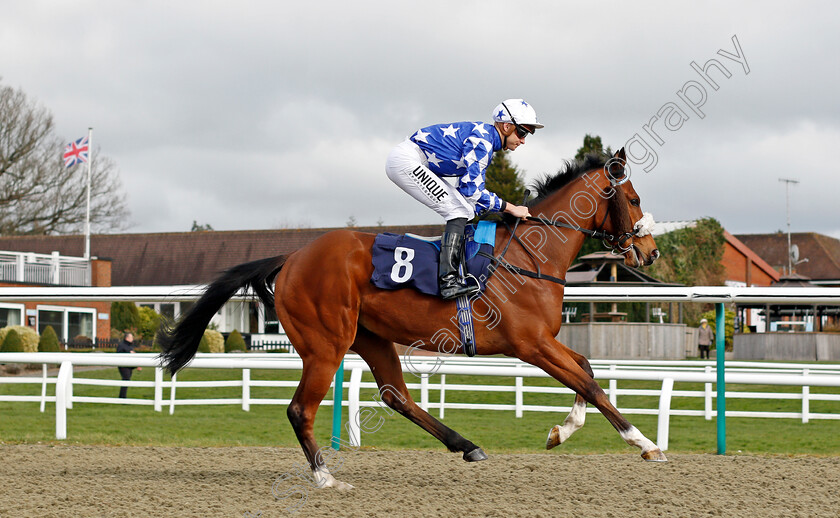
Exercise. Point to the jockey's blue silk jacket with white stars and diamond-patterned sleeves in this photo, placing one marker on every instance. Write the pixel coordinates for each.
(463, 149)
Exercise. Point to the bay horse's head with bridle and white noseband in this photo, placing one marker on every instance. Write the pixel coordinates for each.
(630, 229)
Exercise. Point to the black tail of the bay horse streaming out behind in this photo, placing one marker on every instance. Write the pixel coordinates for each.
(179, 344)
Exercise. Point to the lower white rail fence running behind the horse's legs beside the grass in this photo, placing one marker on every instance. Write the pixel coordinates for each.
(422, 370)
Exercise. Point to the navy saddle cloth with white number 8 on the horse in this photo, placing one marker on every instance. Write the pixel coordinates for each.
(403, 261)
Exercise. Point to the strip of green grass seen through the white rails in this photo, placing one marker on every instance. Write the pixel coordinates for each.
(495, 431)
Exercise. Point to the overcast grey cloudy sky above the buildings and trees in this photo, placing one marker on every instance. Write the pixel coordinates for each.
(253, 115)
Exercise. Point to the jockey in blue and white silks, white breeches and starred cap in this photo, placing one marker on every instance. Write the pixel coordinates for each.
(461, 150)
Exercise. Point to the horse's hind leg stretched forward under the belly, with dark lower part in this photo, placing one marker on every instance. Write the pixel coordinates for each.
(385, 366)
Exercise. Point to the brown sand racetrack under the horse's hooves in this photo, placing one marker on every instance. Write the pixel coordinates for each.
(81, 481)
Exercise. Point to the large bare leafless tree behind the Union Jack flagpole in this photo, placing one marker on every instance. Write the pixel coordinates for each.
(37, 194)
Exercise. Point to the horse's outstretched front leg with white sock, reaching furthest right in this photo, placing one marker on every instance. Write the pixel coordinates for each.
(558, 361)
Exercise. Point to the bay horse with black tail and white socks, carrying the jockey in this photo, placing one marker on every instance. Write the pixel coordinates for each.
(328, 306)
